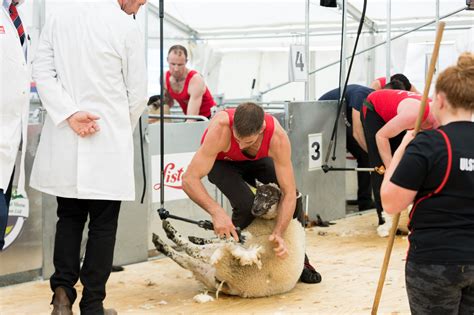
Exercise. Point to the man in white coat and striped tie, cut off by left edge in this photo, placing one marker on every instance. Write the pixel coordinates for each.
(14, 104)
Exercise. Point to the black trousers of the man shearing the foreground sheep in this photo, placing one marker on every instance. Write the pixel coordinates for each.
(232, 178)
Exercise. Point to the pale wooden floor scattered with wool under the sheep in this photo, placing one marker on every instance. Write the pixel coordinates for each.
(348, 255)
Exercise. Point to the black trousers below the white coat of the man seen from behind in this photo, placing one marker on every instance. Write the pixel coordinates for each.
(103, 217)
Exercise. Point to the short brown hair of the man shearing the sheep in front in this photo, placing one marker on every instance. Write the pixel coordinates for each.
(248, 119)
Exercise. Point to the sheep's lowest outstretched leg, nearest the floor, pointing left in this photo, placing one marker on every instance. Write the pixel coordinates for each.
(202, 271)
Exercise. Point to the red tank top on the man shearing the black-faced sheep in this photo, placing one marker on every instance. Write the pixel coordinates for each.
(234, 153)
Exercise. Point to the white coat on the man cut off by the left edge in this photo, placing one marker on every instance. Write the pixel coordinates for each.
(15, 77)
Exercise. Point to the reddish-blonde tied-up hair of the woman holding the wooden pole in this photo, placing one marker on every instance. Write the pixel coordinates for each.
(457, 82)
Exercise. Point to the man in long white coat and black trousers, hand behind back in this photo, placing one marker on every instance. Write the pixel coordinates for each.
(90, 74)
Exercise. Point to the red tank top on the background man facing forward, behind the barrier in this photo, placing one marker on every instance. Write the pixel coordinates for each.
(183, 97)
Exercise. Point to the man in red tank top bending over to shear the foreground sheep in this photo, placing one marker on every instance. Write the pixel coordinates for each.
(241, 146)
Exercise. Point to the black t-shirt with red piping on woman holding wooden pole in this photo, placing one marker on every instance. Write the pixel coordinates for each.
(442, 225)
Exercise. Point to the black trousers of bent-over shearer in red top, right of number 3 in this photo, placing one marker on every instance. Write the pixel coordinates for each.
(372, 123)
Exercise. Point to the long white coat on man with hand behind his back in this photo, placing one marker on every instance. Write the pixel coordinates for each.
(90, 58)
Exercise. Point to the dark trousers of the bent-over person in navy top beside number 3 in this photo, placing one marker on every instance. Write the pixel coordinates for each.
(364, 188)
